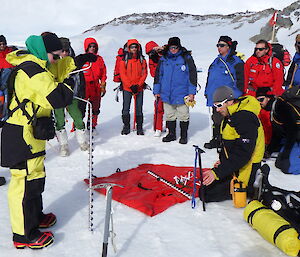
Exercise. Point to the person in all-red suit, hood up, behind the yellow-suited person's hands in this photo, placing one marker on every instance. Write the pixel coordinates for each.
(95, 78)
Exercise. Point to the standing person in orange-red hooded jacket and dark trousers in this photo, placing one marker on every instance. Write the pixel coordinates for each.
(133, 73)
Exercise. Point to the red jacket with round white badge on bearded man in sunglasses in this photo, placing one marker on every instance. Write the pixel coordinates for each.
(266, 71)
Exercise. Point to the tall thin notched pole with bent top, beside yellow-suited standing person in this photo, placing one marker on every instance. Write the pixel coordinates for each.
(90, 165)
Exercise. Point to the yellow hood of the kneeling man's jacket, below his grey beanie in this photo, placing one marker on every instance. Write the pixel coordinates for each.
(245, 103)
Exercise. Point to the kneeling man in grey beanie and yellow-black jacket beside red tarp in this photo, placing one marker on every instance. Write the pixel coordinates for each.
(242, 145)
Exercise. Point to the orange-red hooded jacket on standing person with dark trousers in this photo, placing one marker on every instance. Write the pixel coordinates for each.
(133, 71)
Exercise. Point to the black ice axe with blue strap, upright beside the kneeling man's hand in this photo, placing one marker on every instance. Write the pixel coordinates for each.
(198, 152)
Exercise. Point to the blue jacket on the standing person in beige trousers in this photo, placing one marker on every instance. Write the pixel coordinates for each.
(176, 77)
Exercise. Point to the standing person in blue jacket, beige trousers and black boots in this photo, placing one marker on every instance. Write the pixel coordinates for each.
(175, 79)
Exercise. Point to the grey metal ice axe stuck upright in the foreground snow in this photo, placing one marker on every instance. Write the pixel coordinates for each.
(108, 213)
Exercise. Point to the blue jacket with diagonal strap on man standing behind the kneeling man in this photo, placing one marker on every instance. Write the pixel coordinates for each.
(218, 75)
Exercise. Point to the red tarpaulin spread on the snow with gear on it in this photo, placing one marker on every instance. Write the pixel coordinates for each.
(144, 192)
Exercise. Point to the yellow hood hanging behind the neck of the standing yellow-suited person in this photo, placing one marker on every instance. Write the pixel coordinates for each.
(19, 56)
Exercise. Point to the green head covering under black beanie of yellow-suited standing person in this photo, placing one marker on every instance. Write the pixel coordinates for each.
(36, 46)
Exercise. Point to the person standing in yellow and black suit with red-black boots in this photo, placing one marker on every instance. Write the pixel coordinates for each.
(36, 93)
